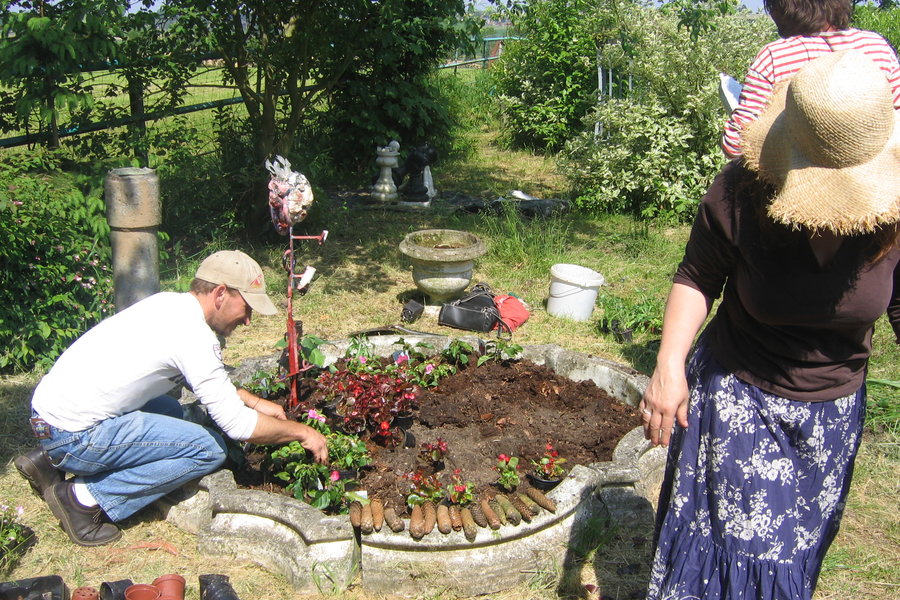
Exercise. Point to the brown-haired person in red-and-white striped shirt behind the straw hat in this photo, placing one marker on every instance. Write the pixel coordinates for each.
(808, 29)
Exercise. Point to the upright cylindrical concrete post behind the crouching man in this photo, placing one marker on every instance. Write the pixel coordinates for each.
(134, 213)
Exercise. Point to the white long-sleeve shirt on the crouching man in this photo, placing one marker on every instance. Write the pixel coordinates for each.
(135, 356)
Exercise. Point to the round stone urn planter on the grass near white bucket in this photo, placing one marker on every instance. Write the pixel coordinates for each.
(442, 260)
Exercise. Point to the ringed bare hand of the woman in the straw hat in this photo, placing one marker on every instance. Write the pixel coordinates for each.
(664, 401)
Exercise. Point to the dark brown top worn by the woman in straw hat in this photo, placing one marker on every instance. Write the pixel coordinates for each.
(786, 324)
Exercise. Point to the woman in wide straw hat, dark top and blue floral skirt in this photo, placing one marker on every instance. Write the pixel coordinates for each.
(800, 240)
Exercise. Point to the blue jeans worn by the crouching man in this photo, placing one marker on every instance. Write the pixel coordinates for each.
(130, 461)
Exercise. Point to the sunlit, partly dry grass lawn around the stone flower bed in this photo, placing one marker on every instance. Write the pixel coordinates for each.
(362, 283)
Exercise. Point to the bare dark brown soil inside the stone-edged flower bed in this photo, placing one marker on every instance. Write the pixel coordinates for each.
(513, 408)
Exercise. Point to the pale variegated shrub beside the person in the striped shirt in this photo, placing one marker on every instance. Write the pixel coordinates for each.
(653, 154)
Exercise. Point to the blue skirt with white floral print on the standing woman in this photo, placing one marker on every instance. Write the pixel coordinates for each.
(754, 490)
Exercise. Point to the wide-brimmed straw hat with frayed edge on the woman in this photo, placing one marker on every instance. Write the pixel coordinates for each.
(829, 141)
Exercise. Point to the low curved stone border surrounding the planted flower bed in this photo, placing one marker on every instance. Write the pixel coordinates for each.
(311, 549)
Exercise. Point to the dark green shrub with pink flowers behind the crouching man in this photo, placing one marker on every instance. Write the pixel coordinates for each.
(56, 281)
